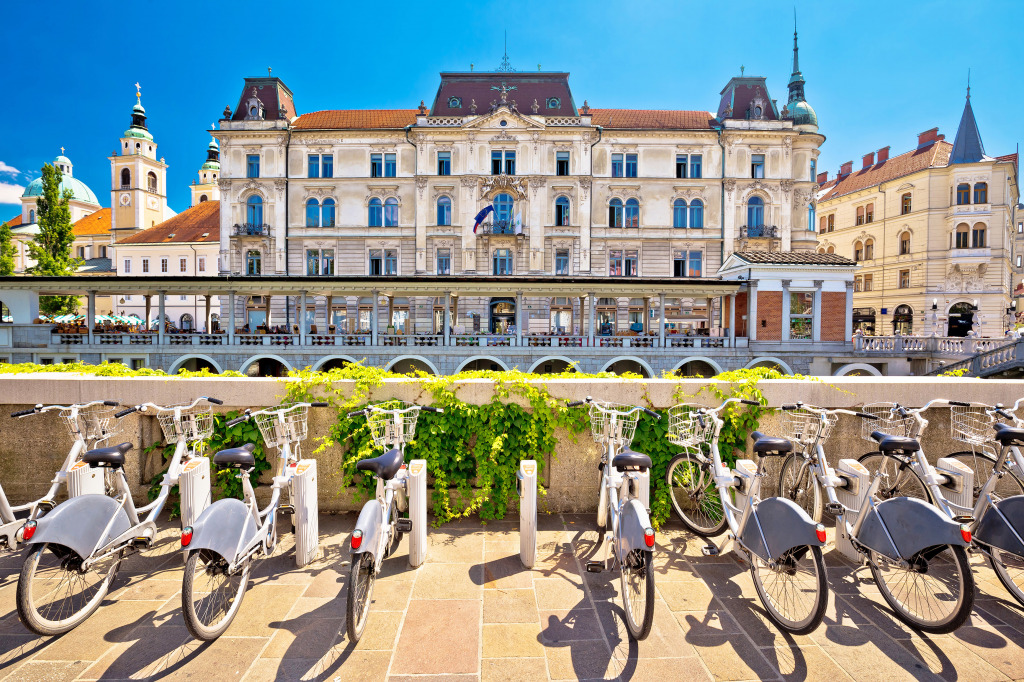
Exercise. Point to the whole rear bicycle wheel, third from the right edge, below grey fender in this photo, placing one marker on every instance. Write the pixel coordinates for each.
(794, 591)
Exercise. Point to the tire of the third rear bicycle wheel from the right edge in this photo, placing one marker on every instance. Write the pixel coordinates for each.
(805, 623)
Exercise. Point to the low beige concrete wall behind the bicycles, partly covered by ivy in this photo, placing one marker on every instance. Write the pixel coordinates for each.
(32, 449)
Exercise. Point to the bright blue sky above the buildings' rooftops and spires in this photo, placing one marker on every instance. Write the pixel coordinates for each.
(878, 73)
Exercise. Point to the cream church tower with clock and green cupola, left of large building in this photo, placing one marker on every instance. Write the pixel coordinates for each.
(139, 180)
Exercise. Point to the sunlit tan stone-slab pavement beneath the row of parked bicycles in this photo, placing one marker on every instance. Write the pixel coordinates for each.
(473, 613)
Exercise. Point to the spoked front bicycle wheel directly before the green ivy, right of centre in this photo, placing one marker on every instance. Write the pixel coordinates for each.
(701, 508)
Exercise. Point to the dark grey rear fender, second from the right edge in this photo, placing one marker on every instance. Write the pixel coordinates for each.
(914, 526)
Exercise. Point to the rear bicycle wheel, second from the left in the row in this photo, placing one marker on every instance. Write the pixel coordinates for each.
(210, 595)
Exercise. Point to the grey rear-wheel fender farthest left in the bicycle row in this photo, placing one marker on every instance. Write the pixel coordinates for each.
(79, 523)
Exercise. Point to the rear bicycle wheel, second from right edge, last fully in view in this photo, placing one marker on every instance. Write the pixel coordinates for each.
(934, 593)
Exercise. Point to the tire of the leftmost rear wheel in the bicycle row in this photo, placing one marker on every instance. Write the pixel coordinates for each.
(65, 572)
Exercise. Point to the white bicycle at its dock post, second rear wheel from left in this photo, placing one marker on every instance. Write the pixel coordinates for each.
(227, 540)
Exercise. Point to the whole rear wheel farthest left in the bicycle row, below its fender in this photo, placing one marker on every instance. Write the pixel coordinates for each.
(56, 593)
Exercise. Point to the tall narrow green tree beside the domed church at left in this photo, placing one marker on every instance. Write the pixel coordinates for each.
(52, 247)
